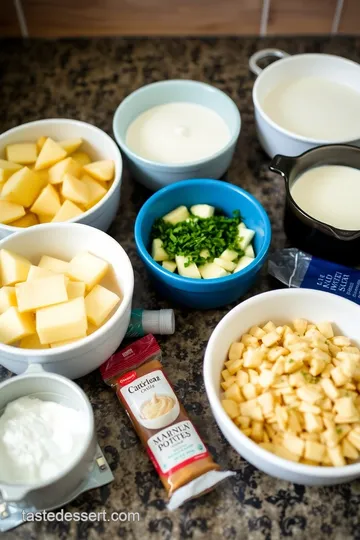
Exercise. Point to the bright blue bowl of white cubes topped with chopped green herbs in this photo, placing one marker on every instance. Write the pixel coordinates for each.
(203, 241)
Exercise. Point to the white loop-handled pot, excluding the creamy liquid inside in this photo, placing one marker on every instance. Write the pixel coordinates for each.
(275, 139)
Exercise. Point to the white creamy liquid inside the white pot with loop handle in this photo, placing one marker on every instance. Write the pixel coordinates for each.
(316, 108)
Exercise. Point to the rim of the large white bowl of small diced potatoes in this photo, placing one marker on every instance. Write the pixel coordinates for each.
(214, 400)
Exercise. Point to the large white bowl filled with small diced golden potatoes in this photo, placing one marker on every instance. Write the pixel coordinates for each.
(282, 375)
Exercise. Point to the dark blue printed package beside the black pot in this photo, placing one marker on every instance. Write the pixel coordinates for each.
(295, 268)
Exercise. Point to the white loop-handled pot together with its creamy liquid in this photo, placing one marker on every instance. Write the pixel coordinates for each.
(304, 101)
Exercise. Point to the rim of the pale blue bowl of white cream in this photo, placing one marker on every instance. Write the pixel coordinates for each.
(172, 166)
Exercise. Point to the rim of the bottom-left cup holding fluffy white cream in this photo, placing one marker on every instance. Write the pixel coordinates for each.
(29, 488)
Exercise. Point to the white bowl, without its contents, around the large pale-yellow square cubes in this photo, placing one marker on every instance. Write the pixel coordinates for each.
(64, 240)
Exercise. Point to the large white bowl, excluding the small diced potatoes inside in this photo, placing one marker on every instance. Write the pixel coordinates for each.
(281, 306)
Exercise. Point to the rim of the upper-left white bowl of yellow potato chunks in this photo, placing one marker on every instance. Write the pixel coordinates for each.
(109, 141)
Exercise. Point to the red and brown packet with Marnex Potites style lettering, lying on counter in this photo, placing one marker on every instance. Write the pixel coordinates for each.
(173, 444)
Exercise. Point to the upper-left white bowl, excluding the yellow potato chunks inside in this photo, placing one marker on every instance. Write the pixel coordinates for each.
(96, 142)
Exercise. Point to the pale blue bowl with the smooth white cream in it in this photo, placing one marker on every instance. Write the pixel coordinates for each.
(175, 130)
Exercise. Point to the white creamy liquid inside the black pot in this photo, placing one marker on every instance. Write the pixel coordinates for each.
(331, 194)
